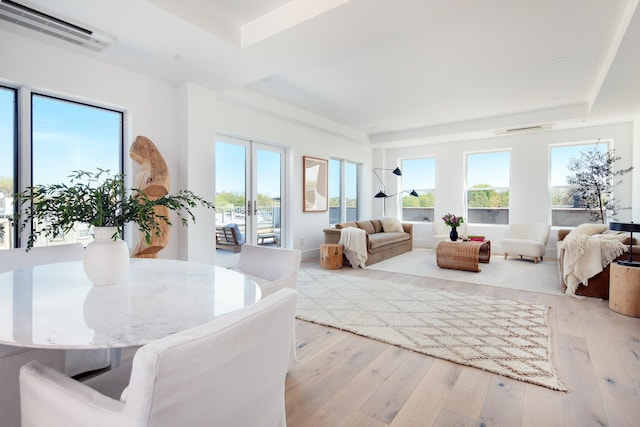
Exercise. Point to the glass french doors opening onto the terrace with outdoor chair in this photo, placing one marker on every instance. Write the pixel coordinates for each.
(250, 189)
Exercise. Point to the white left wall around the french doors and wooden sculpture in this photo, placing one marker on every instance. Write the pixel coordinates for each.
(182, 121)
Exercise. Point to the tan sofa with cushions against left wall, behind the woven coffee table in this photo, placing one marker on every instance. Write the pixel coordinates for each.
(381, 245)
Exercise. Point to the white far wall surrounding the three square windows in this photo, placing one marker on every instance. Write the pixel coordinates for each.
(529, 175)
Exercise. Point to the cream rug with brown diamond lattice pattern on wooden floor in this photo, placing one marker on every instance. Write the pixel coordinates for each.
(506, 337)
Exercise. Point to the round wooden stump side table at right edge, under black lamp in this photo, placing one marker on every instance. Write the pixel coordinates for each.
(624, 289)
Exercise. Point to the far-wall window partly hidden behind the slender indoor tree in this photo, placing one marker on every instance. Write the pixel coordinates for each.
(567, 210)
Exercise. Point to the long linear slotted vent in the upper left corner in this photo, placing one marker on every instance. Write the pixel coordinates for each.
(55, 27)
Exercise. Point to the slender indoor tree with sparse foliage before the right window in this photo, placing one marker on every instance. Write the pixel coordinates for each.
(594, 178)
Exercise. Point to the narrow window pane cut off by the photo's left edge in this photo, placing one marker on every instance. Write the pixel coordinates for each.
(7, 163)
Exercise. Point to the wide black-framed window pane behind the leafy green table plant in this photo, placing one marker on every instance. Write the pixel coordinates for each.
(69, 136)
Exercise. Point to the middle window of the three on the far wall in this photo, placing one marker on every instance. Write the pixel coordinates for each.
(488, 187)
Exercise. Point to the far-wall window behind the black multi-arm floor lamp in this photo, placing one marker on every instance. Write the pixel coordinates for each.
(418, 175)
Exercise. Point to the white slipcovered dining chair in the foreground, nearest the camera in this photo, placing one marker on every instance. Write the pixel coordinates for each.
(228, 372)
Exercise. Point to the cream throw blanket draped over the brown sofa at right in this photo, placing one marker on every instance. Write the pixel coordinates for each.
(585, 256)
